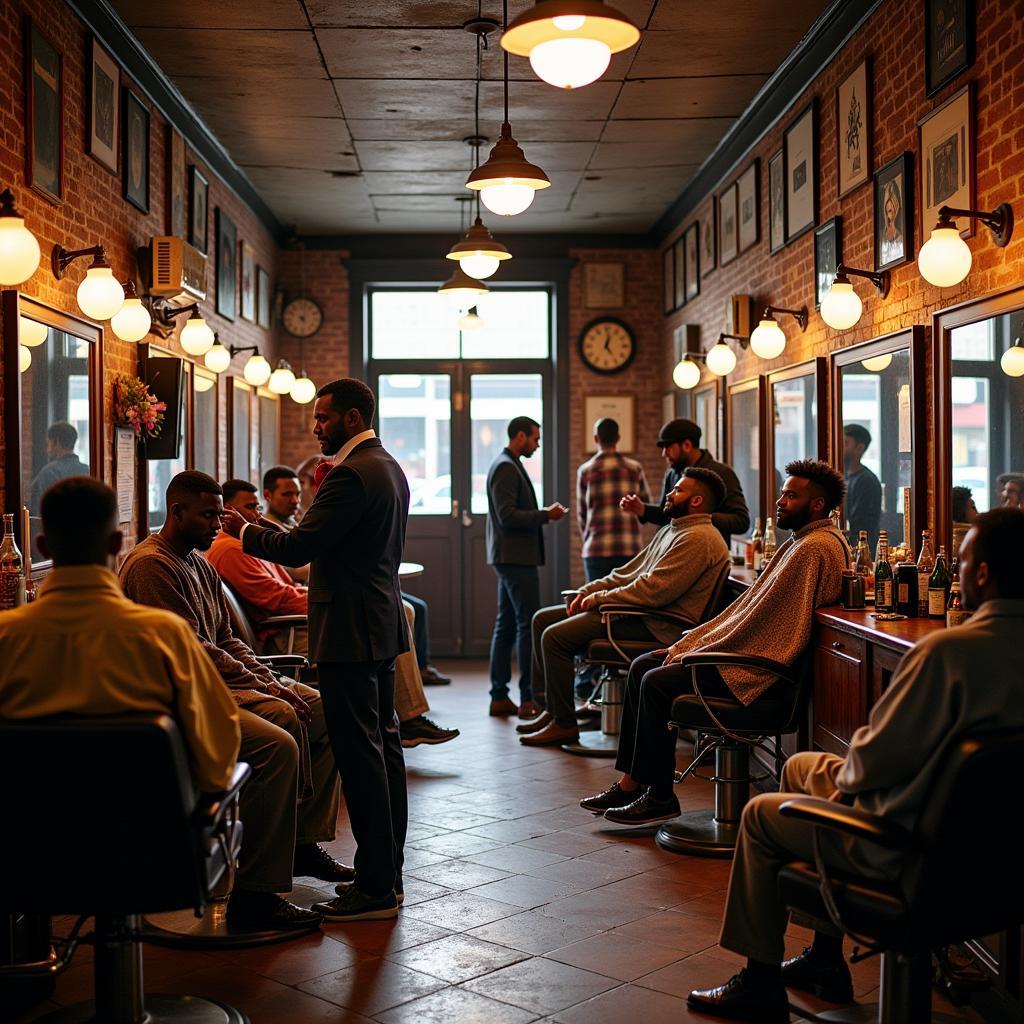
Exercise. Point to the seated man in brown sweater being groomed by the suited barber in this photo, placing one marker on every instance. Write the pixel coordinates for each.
(284, 736)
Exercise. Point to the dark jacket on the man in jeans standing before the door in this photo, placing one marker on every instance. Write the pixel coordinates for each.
(515, 522)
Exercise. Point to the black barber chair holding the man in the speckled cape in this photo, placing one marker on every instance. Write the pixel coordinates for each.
(732, 731)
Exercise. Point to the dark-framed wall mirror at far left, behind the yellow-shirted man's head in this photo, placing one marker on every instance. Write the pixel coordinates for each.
(53, 404)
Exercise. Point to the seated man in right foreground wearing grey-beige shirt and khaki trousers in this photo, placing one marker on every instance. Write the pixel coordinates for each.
(954, 684)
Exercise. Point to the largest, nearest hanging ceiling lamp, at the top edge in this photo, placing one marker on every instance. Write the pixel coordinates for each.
(570, 42)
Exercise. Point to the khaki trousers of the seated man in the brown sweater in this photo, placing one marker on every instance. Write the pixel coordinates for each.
(274, 823)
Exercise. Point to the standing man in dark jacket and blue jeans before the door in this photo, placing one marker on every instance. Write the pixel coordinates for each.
(516, 549)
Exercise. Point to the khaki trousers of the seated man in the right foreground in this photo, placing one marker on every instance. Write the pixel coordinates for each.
(756, 919)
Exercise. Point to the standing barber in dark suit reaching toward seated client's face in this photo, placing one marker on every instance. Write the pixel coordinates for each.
(353, 538)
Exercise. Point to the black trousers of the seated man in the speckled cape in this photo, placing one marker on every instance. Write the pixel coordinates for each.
(647, 746)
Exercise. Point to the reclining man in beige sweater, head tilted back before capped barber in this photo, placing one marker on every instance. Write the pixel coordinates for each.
(676, 573)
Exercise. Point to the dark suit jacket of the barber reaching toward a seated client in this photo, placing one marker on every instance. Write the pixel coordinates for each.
(353, 538)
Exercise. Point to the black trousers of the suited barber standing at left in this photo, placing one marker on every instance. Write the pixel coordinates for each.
(359, 706)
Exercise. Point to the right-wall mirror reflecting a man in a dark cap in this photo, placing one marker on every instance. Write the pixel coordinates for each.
(879, 414)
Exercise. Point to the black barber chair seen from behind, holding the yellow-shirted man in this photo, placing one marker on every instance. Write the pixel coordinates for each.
(101, 820)
